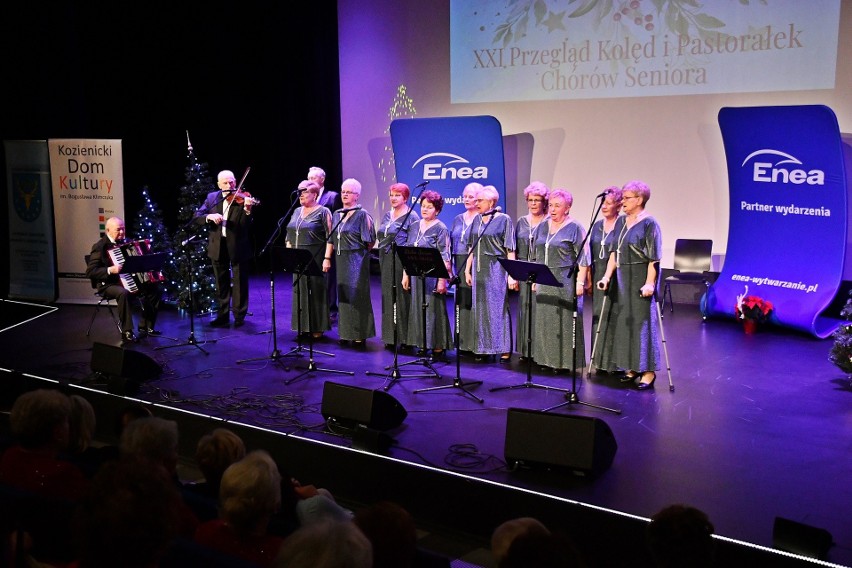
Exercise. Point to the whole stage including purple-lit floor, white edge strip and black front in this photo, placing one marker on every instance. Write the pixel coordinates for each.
(756, 426)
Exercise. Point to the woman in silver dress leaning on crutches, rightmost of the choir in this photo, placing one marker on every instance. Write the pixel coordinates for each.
(634, 263)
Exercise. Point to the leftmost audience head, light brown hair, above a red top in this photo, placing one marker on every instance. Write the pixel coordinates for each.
(41, 418)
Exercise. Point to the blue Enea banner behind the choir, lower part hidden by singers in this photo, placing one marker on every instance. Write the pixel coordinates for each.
(449, 153)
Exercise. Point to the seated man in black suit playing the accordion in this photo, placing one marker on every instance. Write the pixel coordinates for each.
(105, 273)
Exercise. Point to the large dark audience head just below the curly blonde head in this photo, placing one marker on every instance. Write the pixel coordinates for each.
(127, 518)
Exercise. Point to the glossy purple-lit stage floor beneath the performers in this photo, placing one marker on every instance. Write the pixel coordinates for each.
(757, 426)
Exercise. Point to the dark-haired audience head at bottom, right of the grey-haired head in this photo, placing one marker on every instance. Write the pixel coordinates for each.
(391, 531)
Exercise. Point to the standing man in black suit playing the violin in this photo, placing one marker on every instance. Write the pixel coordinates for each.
(228, 213)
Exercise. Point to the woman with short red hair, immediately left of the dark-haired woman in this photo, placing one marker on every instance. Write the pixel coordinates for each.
(392, 232)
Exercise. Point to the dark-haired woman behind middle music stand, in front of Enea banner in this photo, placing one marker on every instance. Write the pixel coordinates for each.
(429, 232)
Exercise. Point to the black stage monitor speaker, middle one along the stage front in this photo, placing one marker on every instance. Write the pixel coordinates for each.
(352, 406)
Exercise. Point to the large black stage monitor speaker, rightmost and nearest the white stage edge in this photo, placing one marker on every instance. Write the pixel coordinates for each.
(540, 440)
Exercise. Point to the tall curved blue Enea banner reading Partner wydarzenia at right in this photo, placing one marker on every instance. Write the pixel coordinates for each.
(788, 199)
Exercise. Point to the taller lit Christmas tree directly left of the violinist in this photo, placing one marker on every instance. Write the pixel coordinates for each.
(188, 263)
